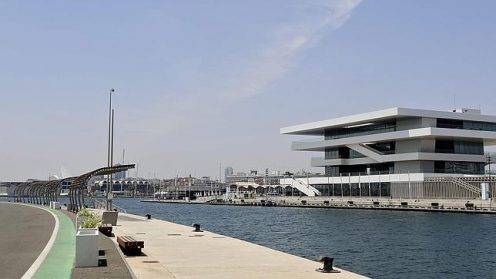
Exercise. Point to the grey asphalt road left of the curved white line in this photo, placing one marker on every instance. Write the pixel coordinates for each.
(24, 233)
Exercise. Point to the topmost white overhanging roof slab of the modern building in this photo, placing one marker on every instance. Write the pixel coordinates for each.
(382, 114)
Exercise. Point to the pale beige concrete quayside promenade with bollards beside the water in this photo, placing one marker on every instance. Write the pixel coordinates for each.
(175, 251)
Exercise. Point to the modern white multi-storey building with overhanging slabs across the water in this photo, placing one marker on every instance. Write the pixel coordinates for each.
(399, 152)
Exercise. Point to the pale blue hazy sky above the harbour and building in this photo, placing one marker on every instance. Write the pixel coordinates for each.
(201, 85)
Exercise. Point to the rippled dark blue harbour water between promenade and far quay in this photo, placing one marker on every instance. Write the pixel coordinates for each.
(379, 244)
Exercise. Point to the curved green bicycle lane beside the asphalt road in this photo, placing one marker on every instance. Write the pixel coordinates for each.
(60, 260)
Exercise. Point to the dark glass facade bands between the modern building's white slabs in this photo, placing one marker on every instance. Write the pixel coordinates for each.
(449, 146)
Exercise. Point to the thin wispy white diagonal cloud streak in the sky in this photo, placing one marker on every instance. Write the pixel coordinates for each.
(272, 62)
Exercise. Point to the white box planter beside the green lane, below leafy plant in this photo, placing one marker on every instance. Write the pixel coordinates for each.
(87, 247)
